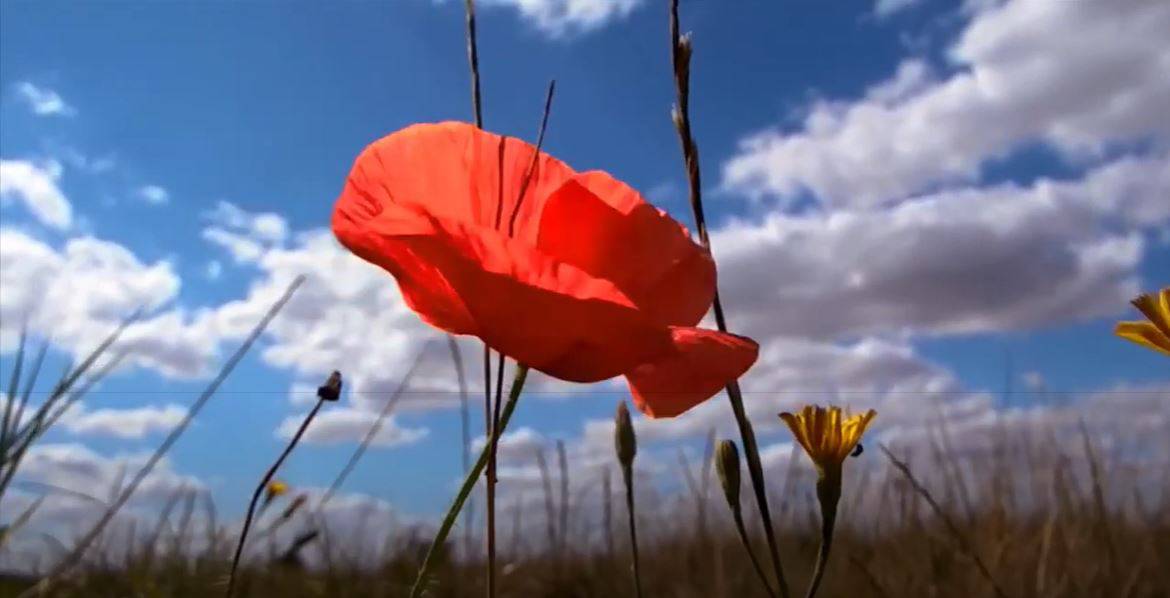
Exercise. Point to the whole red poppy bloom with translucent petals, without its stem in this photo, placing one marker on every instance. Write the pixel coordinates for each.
(587, 281)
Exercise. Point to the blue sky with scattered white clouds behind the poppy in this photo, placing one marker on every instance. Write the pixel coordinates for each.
(919, 207)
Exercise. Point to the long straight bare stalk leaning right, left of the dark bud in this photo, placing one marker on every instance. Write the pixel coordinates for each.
(84, 545)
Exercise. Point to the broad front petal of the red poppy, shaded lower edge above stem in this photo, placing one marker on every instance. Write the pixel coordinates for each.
(543, 313)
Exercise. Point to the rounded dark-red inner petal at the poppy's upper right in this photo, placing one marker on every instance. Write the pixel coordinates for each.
(608, 230)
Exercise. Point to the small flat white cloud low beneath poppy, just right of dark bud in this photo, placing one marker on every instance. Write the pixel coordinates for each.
(336, 425)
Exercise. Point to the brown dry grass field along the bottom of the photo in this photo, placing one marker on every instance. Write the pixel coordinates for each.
(1043, 526)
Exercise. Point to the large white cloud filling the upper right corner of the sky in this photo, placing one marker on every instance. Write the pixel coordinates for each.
(1075, 75)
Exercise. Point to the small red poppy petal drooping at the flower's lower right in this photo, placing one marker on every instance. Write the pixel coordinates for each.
(703, 363)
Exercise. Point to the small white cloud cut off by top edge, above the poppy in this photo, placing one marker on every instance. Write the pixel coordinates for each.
(561, 18)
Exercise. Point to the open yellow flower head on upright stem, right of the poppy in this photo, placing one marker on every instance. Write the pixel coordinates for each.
(827, 435)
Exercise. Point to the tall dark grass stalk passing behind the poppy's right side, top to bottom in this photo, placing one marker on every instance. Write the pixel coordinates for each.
(680, 54)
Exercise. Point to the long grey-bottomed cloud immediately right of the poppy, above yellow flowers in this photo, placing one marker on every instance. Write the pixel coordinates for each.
(971, 260)
